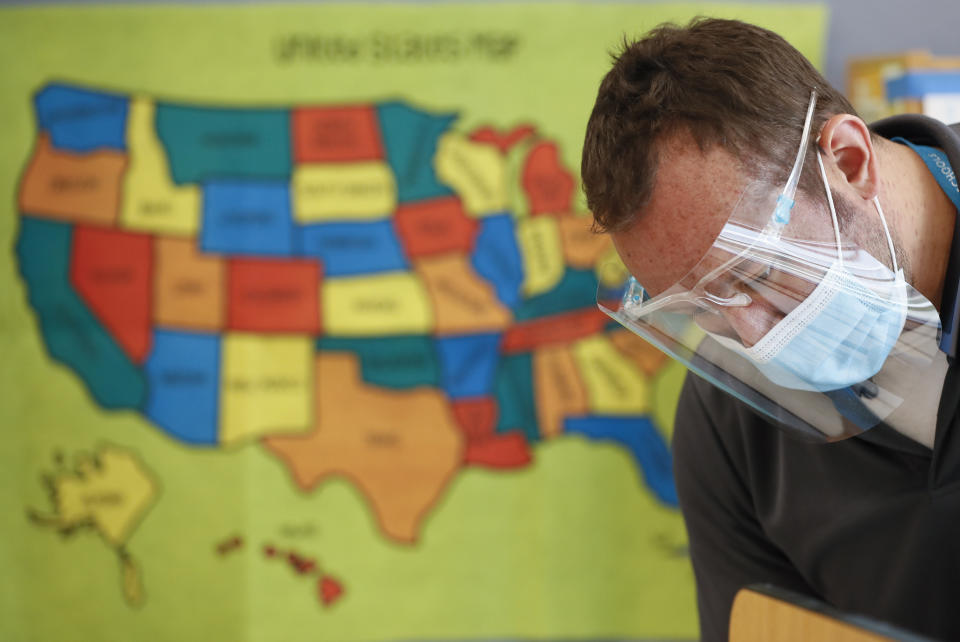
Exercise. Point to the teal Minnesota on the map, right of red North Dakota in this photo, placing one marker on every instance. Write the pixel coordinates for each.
(410, 137)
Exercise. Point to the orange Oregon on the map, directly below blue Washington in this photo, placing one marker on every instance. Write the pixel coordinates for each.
(81, 188)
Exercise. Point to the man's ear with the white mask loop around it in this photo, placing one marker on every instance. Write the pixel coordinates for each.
(845, 143)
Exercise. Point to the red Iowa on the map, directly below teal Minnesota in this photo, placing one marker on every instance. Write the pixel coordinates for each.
(434, 227)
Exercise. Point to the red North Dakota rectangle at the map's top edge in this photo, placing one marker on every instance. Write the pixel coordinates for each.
(322, 134)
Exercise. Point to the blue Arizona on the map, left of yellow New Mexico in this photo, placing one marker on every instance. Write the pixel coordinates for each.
(183, 378)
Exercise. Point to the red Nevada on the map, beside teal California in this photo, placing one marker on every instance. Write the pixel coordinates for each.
(113, 272)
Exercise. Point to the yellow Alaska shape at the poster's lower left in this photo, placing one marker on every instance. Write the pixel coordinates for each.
(109, 491)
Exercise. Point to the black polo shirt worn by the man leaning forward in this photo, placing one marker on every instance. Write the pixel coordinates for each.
(870, 525)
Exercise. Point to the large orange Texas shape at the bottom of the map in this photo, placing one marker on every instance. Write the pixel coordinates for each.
(400, 448)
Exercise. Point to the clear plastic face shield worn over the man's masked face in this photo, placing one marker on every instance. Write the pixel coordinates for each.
(806, 318)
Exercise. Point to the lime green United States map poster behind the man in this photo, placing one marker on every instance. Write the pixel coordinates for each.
(299, 330)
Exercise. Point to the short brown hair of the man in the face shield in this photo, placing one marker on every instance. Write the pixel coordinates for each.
(726, 82)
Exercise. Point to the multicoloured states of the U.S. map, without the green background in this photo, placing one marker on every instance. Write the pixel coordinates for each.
(363, 291)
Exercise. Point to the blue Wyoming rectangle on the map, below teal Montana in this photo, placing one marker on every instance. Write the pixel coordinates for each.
(247, 217)
